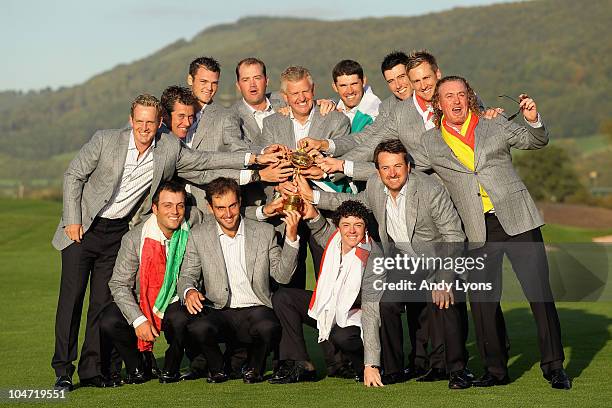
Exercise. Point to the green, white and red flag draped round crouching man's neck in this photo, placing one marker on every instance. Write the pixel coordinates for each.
(159, 270)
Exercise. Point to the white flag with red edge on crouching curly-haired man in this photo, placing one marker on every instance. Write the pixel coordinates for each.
(338, 286)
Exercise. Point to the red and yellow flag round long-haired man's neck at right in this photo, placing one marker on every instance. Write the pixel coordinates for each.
(462, 145)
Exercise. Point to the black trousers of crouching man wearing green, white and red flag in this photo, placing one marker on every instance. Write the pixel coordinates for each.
(117, 332)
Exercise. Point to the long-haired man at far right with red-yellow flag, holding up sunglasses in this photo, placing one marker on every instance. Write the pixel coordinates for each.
(497, 212)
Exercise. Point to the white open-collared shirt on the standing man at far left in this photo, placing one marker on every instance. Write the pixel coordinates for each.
(135, 182)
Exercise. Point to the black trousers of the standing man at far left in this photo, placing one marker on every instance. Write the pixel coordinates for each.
(90, 261)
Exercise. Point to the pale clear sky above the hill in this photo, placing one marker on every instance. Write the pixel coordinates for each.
(65, 42)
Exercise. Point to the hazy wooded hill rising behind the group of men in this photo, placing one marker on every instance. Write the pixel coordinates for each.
(558, 51)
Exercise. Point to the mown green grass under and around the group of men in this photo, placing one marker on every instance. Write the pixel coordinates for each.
(30, 277)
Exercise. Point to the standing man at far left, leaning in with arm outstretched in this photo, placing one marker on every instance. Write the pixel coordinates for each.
(105, 184)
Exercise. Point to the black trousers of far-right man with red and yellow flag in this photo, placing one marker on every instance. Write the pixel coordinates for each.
(531, 268)
